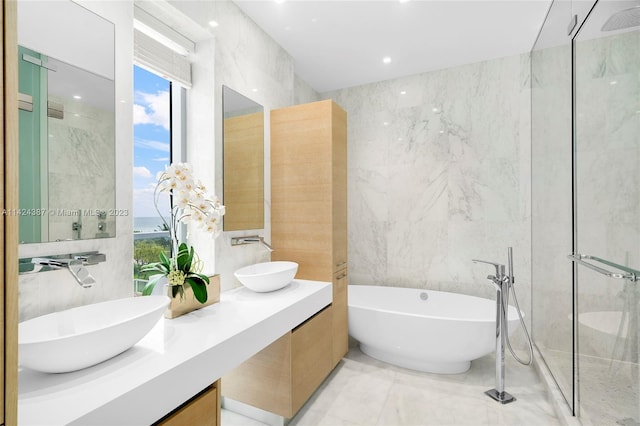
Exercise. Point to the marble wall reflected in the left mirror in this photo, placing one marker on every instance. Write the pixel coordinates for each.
(81, 171)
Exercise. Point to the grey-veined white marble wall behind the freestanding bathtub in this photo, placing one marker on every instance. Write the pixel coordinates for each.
(438, 174)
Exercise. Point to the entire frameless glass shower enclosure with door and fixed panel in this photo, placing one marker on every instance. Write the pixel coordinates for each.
(586, 208)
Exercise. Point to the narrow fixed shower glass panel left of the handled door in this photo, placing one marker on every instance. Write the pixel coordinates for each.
(552, 234)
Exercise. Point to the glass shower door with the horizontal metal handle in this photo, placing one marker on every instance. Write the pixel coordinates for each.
(607, 203)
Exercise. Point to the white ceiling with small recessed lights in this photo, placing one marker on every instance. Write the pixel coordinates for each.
(338, 44)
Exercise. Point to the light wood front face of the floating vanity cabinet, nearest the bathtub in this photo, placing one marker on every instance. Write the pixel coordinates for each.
(311, 351)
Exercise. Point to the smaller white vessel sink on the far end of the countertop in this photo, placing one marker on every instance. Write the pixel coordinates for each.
(267, 276)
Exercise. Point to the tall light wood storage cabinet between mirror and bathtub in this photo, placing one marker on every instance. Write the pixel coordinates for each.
(309, 200)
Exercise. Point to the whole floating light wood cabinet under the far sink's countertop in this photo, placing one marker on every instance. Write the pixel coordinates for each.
(281, 377)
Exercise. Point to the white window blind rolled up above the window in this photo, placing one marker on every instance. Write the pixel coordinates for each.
(151, 54)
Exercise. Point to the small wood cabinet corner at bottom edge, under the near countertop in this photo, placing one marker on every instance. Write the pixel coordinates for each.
(201, 410)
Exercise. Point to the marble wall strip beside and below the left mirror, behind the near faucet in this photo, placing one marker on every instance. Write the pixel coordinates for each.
(43, 293)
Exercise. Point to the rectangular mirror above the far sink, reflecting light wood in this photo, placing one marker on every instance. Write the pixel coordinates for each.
(243, 164)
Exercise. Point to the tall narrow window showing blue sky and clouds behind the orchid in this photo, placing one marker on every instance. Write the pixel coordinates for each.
(152, 119)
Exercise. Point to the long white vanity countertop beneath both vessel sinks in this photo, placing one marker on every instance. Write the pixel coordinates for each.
(175, 361)
